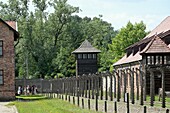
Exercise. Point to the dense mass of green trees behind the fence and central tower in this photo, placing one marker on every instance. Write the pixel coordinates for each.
(48, 38)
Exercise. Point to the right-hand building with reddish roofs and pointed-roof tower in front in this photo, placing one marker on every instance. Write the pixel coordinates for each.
(144, 69)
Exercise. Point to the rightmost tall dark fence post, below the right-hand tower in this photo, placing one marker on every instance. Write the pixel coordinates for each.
(163, 88)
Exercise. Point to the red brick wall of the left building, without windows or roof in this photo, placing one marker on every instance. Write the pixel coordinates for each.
(7, 90)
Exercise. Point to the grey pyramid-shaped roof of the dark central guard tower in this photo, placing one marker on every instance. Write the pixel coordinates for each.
(86, 47)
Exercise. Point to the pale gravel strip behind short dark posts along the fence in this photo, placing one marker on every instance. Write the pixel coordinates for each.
(121, 106)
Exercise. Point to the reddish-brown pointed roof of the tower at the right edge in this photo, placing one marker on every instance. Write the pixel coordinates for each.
(156, 45)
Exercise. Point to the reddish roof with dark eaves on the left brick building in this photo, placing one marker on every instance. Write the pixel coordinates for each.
(12, 26)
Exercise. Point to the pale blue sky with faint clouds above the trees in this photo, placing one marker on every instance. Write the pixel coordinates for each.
(119, 12)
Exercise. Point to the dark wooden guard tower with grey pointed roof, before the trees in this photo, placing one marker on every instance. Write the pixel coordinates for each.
(86, 58)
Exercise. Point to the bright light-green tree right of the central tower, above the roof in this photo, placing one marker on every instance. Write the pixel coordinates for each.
(127, 36)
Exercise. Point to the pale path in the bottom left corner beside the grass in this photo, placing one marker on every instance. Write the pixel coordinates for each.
(7, 109)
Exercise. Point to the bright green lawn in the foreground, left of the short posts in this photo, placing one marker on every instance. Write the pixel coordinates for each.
(48, 106)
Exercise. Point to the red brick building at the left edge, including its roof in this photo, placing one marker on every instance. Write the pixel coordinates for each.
(8, 35)
